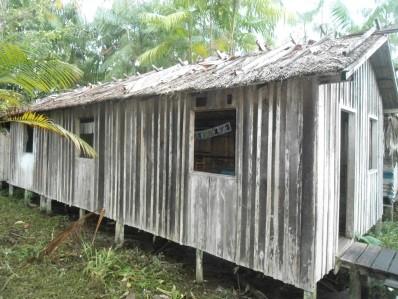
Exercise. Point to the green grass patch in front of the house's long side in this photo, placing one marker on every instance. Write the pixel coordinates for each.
(79, 270)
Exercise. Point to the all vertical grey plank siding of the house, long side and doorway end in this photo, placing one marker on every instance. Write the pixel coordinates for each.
(278, 215)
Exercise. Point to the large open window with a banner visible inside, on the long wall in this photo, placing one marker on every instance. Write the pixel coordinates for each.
(214, 149)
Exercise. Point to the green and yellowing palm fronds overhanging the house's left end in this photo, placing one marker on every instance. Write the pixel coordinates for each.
(22, 79)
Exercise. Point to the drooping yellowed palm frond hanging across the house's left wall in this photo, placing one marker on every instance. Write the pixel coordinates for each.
(43, 122)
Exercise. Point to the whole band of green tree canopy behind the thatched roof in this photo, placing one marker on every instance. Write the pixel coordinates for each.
(131, 36)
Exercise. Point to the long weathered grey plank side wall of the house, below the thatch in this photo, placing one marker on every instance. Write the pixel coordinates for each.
(261, 218)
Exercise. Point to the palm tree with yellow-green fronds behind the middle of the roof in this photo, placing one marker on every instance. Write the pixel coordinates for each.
(193, 28)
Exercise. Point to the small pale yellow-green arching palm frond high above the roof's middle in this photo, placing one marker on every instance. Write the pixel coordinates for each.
(167, 22)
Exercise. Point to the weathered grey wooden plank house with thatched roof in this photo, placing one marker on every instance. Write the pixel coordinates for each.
(270, 160)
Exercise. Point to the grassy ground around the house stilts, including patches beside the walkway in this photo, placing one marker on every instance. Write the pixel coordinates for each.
(141, 268)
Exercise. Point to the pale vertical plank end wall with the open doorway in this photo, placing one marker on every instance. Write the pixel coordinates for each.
(361, 97)
